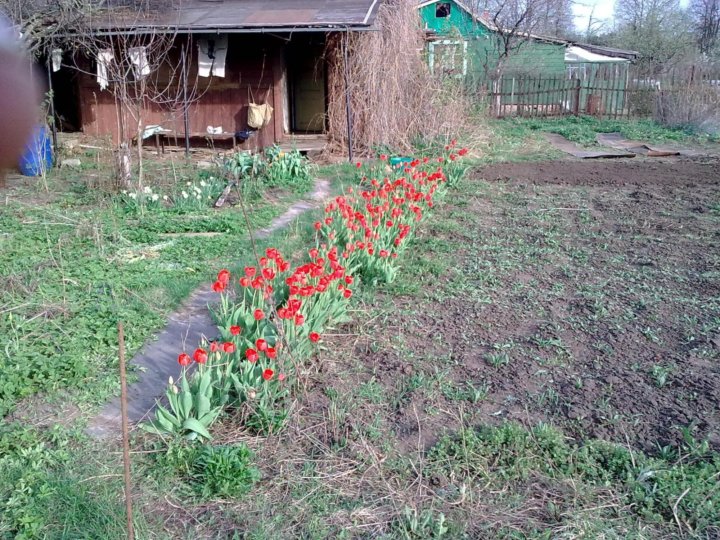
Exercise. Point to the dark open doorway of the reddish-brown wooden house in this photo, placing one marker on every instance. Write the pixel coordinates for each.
(308, 104)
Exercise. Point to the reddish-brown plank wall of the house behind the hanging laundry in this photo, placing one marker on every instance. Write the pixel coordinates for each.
(253, 72)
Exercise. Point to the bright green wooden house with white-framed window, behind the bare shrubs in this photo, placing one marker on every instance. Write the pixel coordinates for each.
(565, 76)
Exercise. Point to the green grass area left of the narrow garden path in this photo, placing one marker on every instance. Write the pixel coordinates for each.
(75, 262)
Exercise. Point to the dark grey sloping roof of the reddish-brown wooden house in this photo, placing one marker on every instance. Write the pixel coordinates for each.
(243, 16)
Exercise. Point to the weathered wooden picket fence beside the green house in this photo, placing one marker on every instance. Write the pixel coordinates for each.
(609, 91)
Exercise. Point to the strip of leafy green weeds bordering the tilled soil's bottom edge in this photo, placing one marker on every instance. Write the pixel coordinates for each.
(659, 488)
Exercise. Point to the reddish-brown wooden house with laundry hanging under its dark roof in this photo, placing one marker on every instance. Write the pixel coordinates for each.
(226, 55)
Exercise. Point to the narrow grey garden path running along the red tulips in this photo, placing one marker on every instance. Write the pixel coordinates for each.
(157, 359)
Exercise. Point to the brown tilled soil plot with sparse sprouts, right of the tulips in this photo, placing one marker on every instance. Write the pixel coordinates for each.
(585, 294)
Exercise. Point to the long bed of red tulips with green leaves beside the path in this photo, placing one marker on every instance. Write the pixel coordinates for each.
(272, 317)
